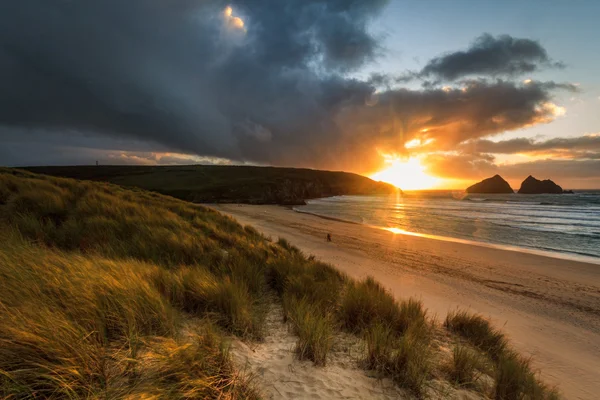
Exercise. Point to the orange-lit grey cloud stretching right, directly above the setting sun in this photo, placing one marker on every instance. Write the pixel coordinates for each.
(447, 117)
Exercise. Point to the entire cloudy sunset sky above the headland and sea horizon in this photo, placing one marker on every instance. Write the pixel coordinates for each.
(424, 94)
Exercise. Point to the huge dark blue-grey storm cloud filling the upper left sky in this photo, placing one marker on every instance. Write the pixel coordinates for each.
(183, 74)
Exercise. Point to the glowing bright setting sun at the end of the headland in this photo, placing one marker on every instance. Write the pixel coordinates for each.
(406, 174)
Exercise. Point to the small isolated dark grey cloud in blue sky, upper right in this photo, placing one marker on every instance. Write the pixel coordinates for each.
(491, 56)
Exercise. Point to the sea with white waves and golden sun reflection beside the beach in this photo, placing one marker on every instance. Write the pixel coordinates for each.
(563, 226)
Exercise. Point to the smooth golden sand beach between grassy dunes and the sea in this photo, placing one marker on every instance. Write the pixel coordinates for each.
(549, 307)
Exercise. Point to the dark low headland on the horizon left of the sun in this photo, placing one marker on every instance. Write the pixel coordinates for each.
(228, 184)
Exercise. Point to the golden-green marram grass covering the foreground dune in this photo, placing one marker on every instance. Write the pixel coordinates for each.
(117, 293)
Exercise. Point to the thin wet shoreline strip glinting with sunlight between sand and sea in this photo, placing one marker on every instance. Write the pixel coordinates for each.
(585, 258)
